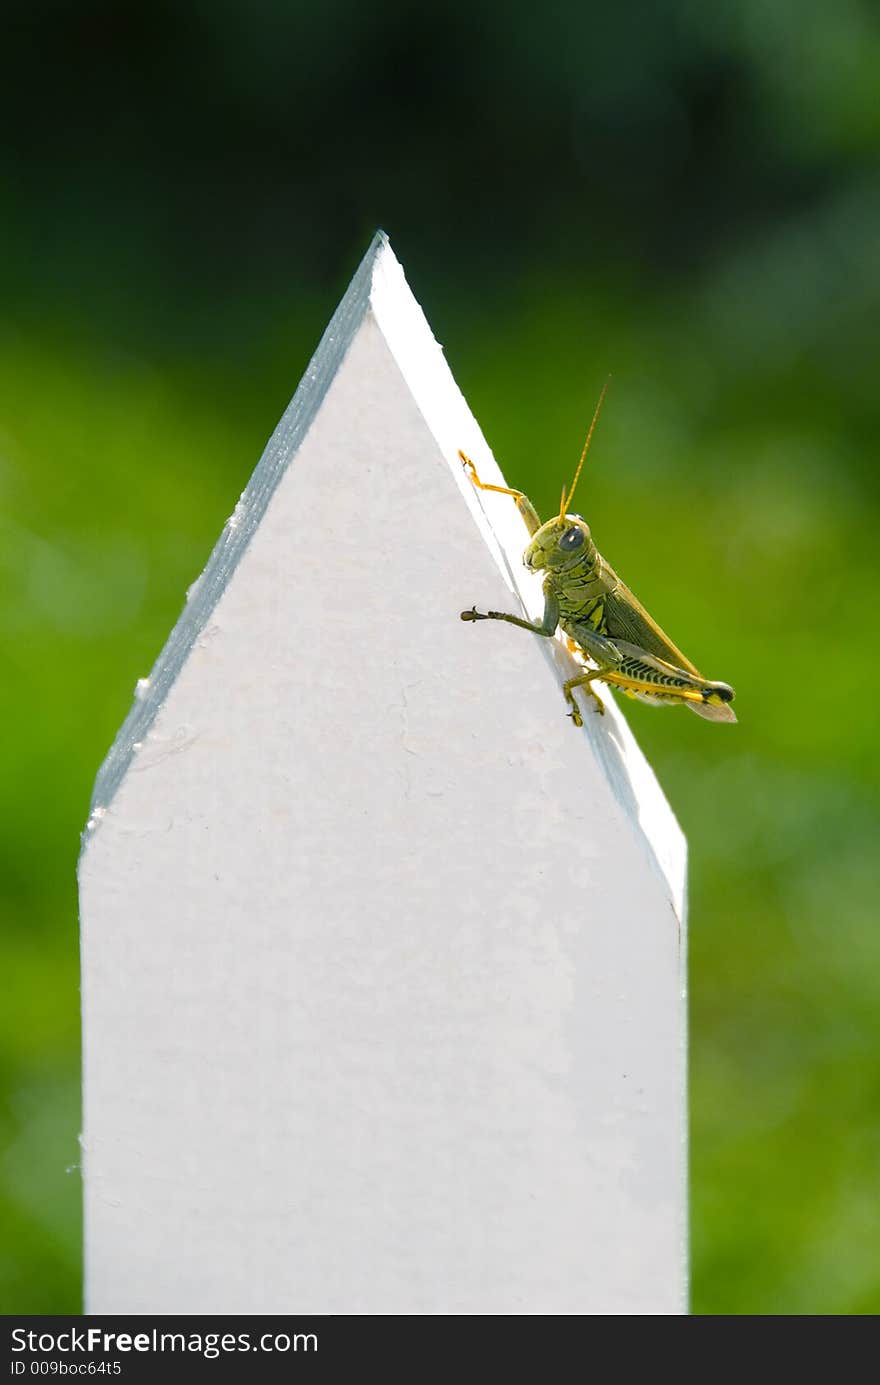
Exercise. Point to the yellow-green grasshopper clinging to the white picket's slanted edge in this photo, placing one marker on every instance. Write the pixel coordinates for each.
(604, 621)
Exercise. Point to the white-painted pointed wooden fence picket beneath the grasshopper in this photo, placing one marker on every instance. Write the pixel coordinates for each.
(383, 960)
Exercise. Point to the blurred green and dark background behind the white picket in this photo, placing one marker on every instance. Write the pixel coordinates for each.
(684, 195)
